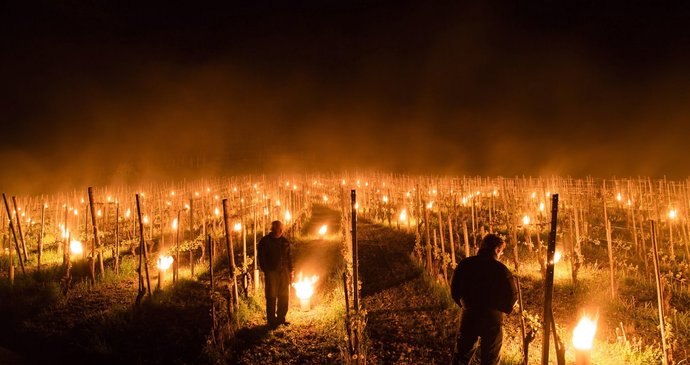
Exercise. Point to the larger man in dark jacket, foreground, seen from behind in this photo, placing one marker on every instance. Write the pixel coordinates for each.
(485, 289)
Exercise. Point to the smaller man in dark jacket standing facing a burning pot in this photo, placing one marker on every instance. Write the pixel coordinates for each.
(276, 263)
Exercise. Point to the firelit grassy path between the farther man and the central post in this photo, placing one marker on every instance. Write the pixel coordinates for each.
(311, 337)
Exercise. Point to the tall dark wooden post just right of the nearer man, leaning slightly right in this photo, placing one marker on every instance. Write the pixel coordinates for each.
(548, 287)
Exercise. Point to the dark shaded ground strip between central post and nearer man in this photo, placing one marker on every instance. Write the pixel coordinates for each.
(407, 324)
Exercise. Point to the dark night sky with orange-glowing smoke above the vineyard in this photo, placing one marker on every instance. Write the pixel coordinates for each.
(97, 92)
